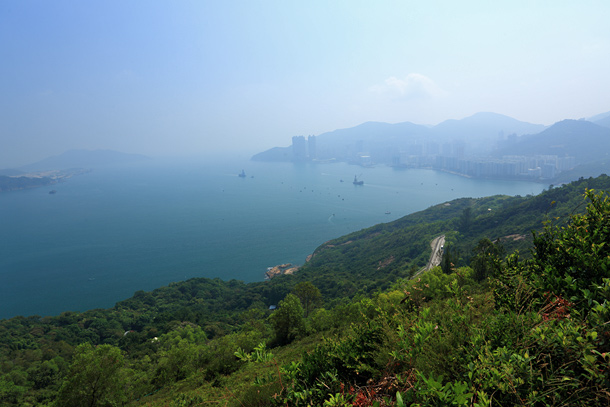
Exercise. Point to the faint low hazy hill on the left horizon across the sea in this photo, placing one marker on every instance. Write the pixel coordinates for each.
(83, 159)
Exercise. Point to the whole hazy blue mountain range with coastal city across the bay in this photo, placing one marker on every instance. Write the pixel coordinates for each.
(465, 145)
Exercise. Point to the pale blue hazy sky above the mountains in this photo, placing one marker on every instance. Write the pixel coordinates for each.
(202, 77)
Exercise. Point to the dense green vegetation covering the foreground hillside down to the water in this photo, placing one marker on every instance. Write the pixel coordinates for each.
(351, 327)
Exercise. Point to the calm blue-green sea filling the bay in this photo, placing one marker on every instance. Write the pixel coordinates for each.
(116, 230)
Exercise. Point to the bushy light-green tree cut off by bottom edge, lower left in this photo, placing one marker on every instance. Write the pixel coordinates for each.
(95, 378)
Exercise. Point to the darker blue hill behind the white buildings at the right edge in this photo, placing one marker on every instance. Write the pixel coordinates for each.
(586, 141)
